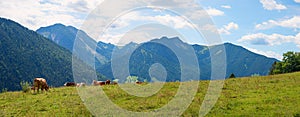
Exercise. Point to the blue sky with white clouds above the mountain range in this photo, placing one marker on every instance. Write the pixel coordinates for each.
(267, 27)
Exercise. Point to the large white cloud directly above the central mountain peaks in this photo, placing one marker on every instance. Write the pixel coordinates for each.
(139, 20)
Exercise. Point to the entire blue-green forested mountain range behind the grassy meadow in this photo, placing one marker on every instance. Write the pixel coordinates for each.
(47, 52)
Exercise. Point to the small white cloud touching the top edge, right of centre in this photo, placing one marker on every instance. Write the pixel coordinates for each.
(272, 5)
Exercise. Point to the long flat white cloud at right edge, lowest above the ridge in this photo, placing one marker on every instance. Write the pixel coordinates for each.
(273, 39)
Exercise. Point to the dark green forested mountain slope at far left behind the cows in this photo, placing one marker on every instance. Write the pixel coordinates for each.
(26, 55)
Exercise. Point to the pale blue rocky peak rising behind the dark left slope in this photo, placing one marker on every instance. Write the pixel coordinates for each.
(65, 36)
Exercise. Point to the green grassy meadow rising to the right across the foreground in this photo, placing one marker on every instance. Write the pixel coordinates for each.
(269, 96)
